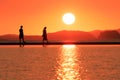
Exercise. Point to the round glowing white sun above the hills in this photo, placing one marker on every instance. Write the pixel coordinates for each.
(68, 18)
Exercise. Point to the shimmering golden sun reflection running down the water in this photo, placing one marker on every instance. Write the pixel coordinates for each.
(68, 69)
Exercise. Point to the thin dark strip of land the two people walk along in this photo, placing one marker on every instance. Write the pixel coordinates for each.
(62, 43)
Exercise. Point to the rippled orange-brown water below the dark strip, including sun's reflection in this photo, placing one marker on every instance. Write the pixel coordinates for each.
(60, 62)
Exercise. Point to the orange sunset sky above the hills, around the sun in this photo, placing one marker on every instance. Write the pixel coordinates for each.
(35, 14)
